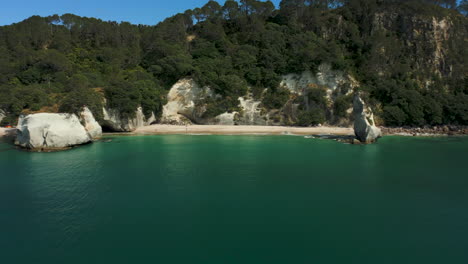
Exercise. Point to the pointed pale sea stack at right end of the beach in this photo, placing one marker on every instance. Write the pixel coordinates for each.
(364, 125)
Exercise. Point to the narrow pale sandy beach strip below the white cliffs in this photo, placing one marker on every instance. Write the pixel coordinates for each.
(242, 130)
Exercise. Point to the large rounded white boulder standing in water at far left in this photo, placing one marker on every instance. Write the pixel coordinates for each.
(50, 131)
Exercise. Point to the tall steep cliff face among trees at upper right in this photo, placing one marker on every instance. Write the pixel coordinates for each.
(430, 41)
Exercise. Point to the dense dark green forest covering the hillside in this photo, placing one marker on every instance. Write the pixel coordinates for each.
(60, 63)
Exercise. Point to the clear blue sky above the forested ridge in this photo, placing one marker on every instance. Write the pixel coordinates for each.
(147, 12)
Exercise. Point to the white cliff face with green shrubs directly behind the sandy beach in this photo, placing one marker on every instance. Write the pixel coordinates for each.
(184, 101)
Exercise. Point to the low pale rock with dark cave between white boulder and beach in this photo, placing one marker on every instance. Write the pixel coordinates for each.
(114, 121)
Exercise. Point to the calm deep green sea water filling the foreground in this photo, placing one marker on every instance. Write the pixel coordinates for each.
(237, 199)
